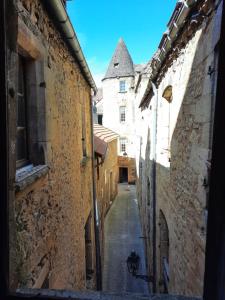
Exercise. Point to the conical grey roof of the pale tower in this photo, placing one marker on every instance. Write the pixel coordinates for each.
(121, 64)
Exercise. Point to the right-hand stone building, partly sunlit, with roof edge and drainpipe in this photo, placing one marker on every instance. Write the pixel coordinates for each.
(175, 142)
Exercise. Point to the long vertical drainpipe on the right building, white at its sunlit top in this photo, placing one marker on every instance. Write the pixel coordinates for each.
(154, 188)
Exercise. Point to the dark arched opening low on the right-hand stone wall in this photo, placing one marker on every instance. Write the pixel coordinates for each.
(164, 252)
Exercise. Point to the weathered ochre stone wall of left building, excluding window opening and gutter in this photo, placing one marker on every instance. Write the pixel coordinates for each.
(50, 211)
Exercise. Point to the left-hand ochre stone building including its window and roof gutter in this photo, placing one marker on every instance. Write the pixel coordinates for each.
(52, 240)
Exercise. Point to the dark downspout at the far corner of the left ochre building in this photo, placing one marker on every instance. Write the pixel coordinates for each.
(96, 221)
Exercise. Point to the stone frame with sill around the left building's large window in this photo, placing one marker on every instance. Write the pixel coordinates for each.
(32, 51)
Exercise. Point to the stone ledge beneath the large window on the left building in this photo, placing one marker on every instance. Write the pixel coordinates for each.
(29, 174)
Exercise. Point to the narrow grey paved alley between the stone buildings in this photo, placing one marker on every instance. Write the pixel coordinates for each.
(122, 235)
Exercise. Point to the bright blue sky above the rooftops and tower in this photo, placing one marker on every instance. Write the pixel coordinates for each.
(99, 25)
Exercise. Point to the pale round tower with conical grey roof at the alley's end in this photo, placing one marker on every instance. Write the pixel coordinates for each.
(118, 87)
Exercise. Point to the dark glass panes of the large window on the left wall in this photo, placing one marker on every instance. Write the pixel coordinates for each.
(21, 117)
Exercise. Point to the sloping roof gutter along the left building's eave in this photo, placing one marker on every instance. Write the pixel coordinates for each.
(59, 14)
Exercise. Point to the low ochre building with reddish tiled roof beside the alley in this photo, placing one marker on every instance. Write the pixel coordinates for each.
(106, 174)
